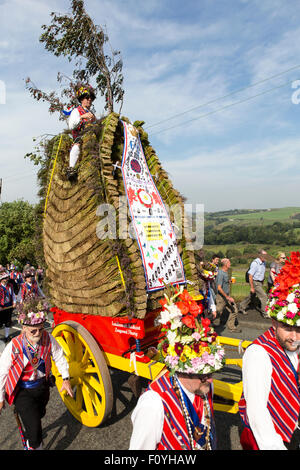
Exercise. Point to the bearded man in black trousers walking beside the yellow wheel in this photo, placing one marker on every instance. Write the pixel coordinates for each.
(25, 366)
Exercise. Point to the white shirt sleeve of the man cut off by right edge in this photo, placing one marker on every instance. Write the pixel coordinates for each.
(257, 371)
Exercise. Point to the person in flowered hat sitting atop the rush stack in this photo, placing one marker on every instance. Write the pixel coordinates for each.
(79, 117)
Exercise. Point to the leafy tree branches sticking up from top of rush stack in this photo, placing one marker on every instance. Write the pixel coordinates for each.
(76, 37)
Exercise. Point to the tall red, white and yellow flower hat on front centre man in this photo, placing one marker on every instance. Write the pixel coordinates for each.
(189, 344)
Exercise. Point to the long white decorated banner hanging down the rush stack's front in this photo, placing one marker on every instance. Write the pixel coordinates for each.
(150, 220)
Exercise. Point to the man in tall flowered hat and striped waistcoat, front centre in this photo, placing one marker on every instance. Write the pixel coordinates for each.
(176, 411)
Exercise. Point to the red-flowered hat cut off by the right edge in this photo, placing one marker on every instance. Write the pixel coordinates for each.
(284, 298)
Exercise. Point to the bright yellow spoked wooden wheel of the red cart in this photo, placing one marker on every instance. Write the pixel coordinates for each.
(89, 375)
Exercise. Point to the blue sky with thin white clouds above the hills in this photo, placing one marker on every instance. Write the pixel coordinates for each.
(212, 80)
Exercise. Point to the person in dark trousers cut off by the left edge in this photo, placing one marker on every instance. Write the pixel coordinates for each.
(7, 303)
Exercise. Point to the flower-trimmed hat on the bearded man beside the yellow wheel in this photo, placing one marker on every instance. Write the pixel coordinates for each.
(33, 311)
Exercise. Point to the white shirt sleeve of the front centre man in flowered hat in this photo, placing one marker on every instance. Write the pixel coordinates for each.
(148, 420)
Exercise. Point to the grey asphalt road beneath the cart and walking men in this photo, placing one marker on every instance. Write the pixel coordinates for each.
(63, 432)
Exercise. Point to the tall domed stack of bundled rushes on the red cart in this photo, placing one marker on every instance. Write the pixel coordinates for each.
(85, 274)
